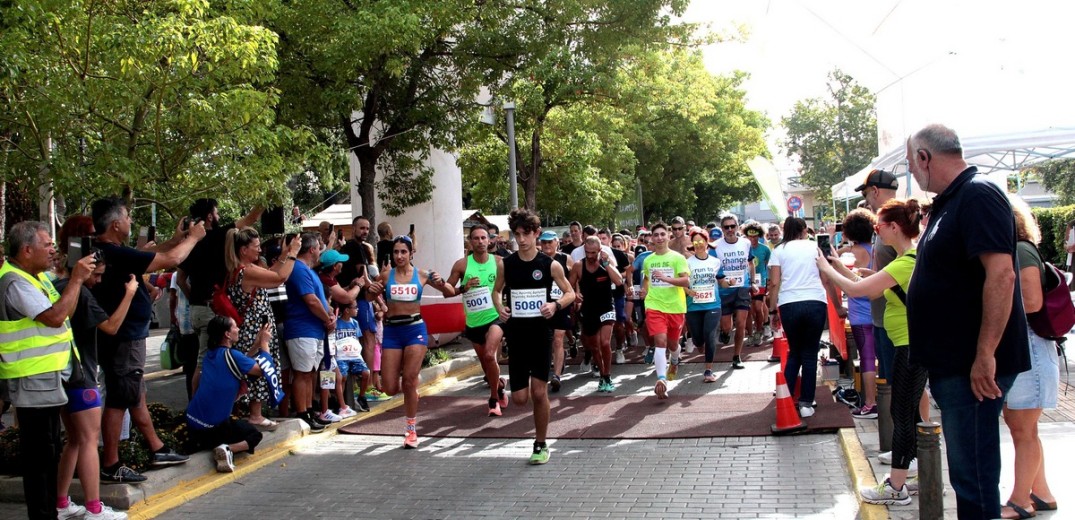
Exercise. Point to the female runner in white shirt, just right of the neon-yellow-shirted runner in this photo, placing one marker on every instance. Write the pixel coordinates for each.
(704, 309)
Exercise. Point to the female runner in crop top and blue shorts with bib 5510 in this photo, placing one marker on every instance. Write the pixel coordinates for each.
(404, 348)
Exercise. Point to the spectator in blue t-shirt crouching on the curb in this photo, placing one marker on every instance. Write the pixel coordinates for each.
(224, 369)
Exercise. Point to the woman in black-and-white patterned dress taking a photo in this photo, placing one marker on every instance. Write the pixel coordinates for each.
(248, 290)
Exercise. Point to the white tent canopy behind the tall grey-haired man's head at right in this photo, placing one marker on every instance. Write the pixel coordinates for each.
(1010, 152)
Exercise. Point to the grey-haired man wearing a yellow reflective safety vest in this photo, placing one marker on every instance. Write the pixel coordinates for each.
(36, 344)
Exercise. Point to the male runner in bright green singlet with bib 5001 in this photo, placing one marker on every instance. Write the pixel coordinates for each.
(479, 276)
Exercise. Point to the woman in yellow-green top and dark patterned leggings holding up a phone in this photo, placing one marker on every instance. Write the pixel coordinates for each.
(897, 227)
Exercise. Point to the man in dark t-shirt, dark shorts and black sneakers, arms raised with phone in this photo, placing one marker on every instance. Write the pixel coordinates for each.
(123, 355)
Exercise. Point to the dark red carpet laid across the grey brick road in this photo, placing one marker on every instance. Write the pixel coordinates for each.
(607, 417)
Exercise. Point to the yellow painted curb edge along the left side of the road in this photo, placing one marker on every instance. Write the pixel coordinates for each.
(168, 500)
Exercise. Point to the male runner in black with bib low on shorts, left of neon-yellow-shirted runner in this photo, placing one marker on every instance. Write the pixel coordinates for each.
(594, 280)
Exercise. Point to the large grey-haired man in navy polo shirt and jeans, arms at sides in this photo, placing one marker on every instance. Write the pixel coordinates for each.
(974, 350)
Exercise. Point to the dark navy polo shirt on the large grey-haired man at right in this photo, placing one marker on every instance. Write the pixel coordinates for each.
(944, 301)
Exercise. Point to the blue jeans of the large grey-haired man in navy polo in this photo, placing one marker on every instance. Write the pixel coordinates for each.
(973, 442)
